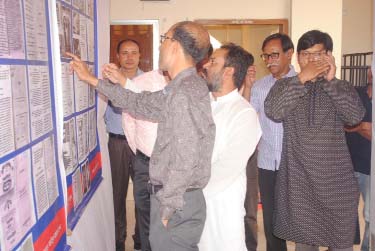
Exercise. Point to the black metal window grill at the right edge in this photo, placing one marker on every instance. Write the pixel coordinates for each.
(354, 68)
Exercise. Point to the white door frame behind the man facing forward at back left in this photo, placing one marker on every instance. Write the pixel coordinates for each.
(155, 38)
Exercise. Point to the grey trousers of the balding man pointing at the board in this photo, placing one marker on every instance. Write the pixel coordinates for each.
(184, 228)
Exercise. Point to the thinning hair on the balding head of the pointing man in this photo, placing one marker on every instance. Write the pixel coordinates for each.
(190, 42)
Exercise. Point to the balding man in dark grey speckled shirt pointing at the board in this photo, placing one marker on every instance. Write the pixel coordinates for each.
(181, 161)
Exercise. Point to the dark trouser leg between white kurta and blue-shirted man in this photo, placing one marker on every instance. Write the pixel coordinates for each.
(251, 204)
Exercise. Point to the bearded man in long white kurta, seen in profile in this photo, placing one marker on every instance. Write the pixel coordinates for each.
(237, 134)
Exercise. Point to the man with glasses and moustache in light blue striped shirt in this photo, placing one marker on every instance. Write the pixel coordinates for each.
(277, 54)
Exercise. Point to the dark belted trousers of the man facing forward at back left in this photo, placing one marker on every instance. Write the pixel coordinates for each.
(121, 158)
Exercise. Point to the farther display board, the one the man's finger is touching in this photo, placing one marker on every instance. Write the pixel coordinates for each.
(81, 154)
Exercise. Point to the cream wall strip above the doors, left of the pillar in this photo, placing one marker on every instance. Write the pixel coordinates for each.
(174, 11)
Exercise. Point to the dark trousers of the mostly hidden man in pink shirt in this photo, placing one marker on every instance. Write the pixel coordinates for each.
(142, 197)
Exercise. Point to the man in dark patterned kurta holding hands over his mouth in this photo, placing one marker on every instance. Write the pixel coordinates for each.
(316, 192)
